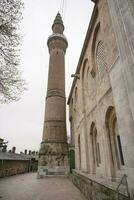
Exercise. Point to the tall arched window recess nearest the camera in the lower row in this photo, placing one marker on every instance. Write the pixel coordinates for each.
(114, 141)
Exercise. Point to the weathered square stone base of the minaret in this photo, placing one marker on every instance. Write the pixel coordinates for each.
(53, 159)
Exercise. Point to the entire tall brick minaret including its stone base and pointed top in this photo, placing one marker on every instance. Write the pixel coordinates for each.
(53, 156)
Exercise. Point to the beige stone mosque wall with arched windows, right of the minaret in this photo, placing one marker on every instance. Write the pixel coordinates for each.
(100, 99)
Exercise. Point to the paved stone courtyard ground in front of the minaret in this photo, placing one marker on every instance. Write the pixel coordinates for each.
(27, 187)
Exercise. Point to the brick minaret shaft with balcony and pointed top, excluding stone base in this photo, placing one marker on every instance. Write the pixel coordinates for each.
(55, 112)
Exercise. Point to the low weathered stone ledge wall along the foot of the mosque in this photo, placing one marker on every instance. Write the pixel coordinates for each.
(93, 190)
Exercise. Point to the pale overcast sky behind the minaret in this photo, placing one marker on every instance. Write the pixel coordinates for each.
(22, 121)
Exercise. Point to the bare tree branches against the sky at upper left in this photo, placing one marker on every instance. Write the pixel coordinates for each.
(11, 82)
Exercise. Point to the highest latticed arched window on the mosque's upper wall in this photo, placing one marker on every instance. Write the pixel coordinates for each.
(101, 59)
